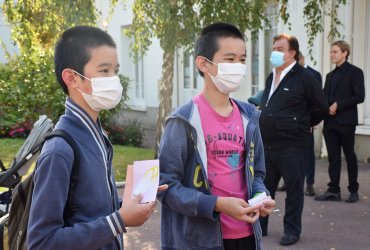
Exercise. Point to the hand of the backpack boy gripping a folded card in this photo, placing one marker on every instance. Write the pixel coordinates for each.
(135, 214)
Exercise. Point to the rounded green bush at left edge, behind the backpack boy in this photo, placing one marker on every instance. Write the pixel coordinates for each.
(28, 88)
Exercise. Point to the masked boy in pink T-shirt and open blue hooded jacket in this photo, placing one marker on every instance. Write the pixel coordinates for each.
(211, 155)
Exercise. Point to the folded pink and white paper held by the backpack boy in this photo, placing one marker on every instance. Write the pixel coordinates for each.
(142, 178)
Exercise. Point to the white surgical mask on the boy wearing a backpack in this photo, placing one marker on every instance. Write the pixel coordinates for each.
(106, 92)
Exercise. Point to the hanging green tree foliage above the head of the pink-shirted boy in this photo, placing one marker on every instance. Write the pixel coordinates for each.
(177, 23)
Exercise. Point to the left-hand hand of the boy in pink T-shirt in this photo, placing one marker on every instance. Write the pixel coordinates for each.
(237, 208)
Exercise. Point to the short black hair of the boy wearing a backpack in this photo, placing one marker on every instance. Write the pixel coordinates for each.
(73, 49)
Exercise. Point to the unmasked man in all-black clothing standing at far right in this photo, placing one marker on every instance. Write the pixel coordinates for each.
(344, 89)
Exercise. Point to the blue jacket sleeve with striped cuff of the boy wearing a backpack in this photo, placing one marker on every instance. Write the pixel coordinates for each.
(46, 227)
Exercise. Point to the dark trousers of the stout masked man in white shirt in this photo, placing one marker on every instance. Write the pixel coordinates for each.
(288, 163)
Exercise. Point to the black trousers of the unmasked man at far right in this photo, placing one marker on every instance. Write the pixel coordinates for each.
(337, 136)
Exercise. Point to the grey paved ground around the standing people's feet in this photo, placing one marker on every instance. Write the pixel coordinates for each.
(326, 225)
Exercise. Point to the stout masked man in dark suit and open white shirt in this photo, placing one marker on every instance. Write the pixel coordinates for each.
(292, 102)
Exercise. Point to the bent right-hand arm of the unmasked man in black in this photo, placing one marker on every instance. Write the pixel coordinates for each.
(358, 92)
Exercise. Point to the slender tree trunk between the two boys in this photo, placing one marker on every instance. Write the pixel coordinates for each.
(165, 94)
